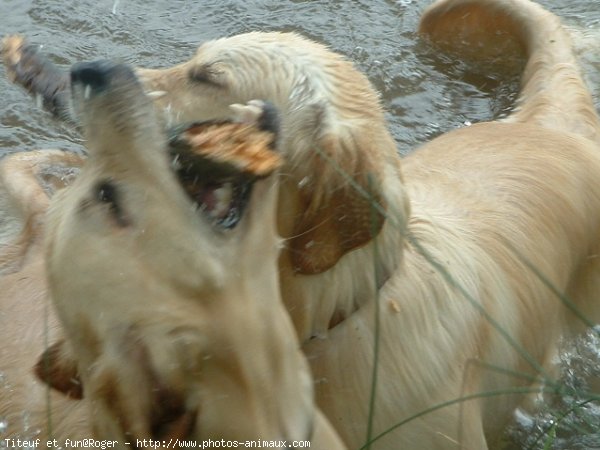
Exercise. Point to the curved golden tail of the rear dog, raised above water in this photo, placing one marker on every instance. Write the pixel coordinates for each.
(553, 94)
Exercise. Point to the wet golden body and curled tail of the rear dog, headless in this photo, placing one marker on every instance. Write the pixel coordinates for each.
(503, 229)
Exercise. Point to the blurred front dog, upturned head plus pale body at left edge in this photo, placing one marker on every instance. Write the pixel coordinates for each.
(265, 394)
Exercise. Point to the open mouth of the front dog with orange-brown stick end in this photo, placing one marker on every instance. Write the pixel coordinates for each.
(217, 164)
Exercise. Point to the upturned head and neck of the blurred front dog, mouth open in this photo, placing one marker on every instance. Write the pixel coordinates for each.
(164, 275)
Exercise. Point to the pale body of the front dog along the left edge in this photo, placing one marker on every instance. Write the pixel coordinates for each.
(28, 409)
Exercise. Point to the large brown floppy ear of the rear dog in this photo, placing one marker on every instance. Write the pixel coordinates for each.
(340, 208)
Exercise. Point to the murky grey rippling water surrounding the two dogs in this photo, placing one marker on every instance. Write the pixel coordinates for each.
(425, 94)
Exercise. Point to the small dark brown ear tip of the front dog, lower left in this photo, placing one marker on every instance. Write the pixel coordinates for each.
(58, 369)
